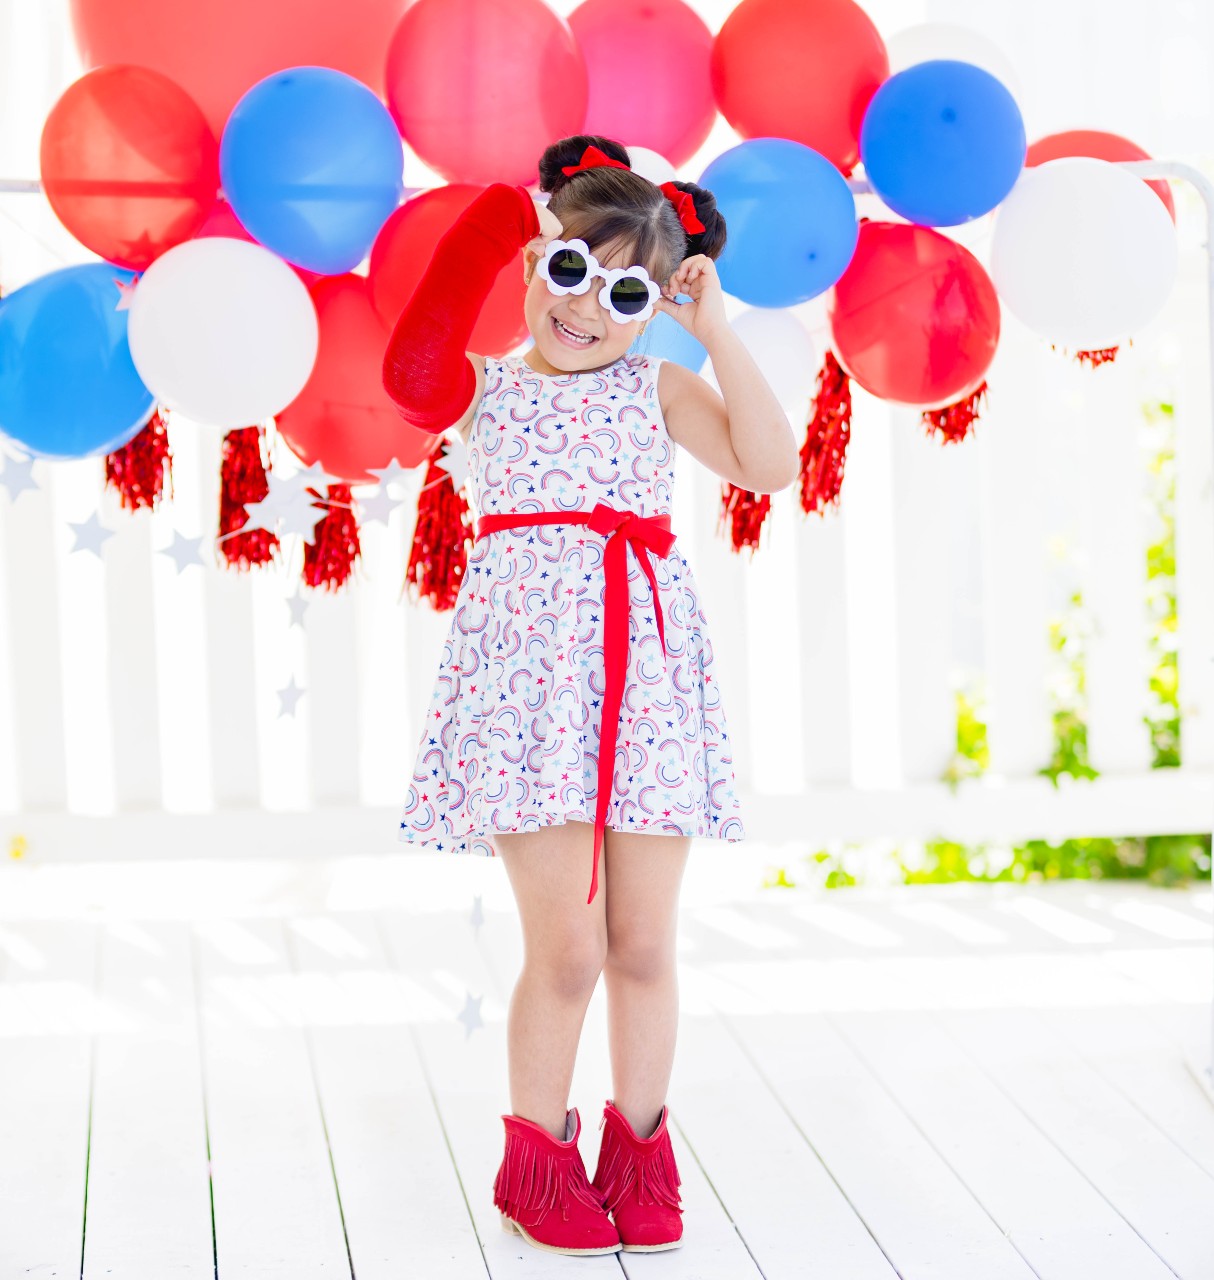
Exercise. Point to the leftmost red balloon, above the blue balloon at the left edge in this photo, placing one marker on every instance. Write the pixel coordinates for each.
(129, 164)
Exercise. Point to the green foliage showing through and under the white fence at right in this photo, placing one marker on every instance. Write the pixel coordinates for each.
(1166, 860)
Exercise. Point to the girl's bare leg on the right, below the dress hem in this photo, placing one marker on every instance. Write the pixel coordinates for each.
(645, 874)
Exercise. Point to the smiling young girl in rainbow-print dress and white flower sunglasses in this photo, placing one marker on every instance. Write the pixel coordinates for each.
(577, 717)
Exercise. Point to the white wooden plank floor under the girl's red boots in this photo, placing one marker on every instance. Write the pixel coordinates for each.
(298, 1069)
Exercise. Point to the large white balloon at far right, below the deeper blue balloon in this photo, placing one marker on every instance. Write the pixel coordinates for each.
(1084, 253)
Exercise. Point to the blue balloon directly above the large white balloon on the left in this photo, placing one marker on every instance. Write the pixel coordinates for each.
(312, 163)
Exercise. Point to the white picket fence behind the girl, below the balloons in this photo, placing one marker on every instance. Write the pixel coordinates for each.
(135, 694)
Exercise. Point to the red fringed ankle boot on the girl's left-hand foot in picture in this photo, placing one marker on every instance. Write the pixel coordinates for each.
(540, 1174)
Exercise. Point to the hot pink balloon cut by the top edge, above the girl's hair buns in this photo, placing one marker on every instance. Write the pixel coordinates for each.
(649, 65)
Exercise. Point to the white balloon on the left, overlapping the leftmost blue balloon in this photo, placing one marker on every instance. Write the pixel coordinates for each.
(223, 331)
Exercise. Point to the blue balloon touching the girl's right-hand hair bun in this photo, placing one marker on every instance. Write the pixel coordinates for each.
(789, 220)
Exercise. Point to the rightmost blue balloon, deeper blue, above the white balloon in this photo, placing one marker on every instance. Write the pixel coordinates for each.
(943, 143)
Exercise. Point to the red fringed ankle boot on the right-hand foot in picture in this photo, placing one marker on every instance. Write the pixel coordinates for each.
(640, 1182)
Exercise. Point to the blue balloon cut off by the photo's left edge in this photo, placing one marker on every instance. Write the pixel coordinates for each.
(69, 387)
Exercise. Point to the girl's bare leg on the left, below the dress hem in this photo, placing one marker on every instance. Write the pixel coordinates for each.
(565, 943)
